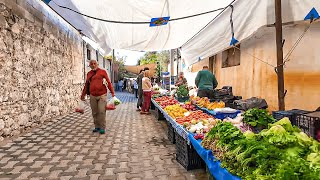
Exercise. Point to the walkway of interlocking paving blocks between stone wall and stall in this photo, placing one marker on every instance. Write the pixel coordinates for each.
(134, 147)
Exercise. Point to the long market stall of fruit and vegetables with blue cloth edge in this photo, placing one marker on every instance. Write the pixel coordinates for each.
(233, 144)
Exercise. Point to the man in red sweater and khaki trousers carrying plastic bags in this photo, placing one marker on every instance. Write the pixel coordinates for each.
(98, 92)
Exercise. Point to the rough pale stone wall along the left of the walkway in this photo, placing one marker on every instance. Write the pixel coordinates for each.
(41, 66)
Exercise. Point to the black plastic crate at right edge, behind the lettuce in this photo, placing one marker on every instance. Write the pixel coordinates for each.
(309, 123)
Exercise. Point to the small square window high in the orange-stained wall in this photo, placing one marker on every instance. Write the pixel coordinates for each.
(231, 57)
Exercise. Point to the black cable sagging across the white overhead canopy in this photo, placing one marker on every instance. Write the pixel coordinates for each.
(133, 22)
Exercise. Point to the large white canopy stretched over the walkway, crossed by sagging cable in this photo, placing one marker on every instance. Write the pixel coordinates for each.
(139, 37)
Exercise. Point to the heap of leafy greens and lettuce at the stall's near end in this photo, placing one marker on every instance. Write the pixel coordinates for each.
(279, 152)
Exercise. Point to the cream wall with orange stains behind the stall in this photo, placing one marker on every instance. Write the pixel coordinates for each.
(254, 78)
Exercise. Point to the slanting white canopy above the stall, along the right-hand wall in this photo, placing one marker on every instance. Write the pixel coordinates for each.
(248, 17)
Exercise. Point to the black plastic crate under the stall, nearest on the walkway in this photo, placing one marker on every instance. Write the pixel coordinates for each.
(186, 155)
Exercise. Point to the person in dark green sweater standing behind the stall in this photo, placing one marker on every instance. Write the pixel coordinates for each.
(206, 82)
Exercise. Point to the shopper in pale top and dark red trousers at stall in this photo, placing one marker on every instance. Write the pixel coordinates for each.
(146, 87)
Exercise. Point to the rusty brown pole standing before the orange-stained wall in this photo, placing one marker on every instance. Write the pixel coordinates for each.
(279, 44)
